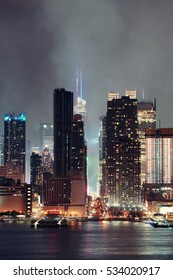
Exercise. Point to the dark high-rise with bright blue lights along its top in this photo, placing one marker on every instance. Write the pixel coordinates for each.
(14, 141)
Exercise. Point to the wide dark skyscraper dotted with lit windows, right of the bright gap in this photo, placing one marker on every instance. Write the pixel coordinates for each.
(122, 152)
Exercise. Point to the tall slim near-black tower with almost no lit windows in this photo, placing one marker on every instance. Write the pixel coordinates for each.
(63, 120)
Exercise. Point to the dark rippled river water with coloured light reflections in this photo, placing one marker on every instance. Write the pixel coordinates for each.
(88, 240)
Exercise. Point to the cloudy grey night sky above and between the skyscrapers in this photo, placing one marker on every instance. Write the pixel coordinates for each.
(119, 44)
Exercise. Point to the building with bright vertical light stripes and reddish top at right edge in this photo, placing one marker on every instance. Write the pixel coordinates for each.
(159, 160)
